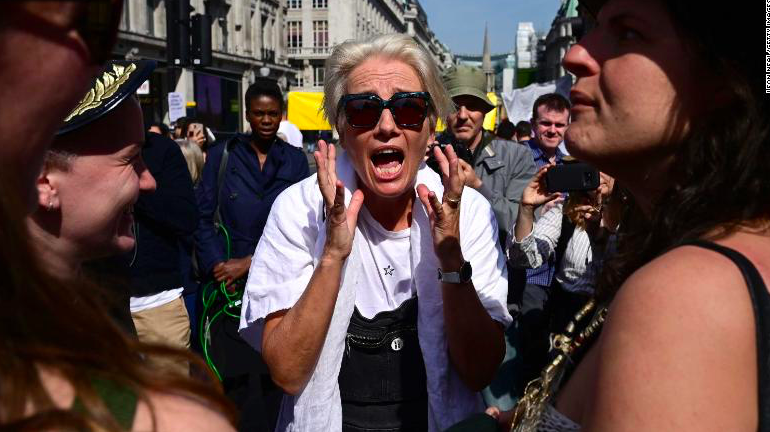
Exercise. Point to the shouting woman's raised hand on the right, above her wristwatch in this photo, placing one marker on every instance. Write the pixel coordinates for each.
(445, 214)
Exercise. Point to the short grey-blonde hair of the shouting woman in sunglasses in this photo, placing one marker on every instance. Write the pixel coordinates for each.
(350, 54)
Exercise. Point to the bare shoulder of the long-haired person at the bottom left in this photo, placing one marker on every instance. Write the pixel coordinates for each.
(177, 413)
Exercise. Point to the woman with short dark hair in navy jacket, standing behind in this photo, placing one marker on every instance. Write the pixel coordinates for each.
(240, 181)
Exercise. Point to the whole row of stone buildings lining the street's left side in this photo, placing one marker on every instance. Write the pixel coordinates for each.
(286, 40)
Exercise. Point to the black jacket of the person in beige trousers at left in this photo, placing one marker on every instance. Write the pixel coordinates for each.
(162, 218)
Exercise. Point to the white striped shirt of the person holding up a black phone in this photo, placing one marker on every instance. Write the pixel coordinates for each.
(582, 258)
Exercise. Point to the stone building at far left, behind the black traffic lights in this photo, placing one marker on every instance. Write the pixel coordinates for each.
(247, 42)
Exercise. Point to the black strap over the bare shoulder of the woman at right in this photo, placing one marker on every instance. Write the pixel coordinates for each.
(760, 301)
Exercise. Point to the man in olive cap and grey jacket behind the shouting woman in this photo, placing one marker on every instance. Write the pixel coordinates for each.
(499, 169)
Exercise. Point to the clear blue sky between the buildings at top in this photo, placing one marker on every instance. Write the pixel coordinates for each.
(459, 24)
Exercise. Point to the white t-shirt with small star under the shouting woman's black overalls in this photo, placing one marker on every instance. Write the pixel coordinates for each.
(390, 253)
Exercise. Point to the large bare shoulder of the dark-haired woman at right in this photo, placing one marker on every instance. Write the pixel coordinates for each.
(678, 349)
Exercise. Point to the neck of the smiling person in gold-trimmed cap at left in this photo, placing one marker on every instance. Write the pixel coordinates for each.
(54, 252)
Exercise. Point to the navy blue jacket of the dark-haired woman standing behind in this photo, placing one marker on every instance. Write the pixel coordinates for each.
(247, 194)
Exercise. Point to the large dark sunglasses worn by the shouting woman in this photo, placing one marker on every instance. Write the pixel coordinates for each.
(409, 109)
